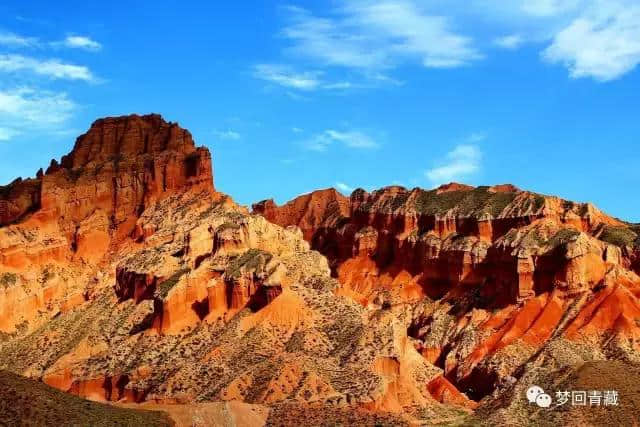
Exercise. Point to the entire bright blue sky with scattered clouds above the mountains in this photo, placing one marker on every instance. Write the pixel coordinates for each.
(292, 97)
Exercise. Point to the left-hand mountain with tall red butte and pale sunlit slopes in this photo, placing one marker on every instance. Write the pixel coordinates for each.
(125, 277)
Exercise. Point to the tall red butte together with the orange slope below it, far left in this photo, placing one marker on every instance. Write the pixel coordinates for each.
(71, 216)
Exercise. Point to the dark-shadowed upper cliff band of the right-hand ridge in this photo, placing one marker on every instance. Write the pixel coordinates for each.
(499, 237)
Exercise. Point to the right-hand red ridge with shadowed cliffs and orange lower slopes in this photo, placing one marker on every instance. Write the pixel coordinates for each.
(495, 278)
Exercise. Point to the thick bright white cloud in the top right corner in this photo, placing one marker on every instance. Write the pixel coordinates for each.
(598, 39)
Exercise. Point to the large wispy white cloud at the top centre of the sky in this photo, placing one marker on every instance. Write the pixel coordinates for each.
(378, 35)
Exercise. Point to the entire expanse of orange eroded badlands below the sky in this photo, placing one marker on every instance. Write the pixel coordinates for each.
(128, 280)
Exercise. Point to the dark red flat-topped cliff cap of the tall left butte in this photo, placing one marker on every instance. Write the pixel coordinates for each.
(119, 166)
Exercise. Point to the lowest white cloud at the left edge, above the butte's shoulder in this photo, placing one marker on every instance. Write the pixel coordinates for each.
(31, 110)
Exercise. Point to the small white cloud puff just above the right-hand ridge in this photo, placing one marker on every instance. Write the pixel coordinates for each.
(461, 162)
